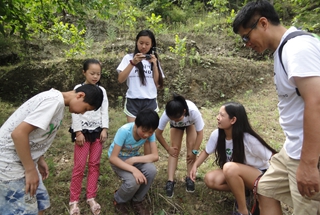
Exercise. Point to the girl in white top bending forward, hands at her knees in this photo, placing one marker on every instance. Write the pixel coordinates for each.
(182, 115)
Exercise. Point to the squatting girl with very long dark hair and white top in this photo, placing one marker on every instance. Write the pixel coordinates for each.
(240, 152)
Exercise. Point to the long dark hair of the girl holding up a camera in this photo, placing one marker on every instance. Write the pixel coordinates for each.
(142, 76)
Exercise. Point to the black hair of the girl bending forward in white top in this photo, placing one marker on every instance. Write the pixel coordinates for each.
(175, 108)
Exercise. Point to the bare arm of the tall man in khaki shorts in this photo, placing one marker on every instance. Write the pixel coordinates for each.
(307, 173)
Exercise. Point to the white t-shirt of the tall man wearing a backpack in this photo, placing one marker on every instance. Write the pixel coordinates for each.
(301, 58)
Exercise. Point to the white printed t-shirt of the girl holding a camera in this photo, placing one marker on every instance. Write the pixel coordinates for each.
(135, 88)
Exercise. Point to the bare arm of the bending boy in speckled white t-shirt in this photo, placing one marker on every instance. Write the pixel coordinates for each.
(20, 137)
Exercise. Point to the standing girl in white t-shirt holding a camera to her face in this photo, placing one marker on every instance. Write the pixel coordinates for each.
(143, 74)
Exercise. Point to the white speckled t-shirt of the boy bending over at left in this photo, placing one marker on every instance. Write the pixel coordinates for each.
(44, 111)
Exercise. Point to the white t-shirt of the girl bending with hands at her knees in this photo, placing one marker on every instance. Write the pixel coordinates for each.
(194, 117)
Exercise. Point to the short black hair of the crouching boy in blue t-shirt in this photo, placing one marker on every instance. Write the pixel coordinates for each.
(147, 119)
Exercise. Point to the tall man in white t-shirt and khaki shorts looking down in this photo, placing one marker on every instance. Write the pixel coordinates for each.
(293, 177)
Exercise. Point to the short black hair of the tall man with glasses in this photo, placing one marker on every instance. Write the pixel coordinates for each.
(253, 11)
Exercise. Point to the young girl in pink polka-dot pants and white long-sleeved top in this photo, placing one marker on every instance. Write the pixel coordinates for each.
(89, 132)
